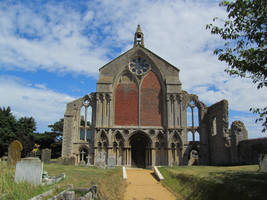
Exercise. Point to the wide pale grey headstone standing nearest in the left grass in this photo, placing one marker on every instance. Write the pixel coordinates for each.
(30, 170)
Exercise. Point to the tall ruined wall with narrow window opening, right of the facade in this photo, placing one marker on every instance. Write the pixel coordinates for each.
(217, 123)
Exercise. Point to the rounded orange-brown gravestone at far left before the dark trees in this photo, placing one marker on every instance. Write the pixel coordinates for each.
(14, 152)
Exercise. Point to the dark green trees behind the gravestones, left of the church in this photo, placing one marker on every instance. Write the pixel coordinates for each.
(23, 130)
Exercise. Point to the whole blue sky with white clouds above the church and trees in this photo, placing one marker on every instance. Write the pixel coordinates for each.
(50, 52)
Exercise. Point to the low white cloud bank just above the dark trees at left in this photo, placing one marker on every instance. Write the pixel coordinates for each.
(44, 105)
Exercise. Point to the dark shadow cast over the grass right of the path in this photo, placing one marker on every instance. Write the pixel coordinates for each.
(223, 185)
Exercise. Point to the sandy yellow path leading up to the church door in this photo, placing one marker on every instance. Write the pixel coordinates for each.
(141, 185)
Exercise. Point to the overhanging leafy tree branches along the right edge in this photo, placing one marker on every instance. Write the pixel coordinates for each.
(245, 47)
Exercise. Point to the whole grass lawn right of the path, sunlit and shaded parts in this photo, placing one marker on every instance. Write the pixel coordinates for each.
(220, 183)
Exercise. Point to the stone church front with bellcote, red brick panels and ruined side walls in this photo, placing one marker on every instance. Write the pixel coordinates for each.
(140, 117)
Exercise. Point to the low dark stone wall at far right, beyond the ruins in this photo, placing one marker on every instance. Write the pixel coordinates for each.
(250, 150)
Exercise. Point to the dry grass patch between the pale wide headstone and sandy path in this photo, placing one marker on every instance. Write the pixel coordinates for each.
(110, 184)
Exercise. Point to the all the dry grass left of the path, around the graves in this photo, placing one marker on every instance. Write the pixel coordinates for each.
(109, 181)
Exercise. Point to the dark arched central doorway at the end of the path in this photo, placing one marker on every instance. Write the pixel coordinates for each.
(140, 150)
